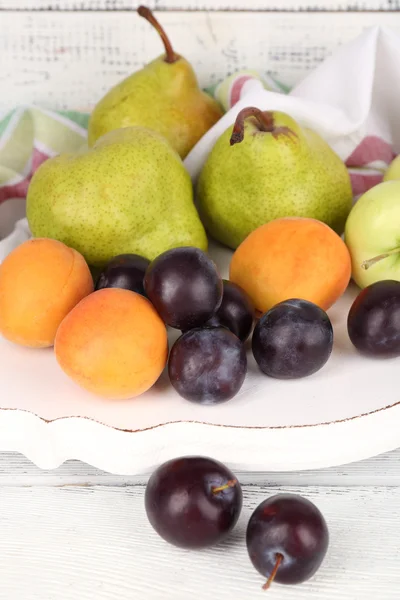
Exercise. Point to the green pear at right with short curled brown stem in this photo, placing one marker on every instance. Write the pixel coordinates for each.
(265, 167)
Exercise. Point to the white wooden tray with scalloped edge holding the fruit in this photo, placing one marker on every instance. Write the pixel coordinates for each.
(348, 411)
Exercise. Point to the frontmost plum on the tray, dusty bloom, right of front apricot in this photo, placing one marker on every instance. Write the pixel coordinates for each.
(207, 365)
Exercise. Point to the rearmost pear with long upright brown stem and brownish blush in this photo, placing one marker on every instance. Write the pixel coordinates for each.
(163, 96)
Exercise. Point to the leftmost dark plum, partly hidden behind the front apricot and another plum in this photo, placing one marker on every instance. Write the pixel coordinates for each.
(124, 271)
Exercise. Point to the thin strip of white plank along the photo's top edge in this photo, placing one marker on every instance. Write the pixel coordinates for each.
(269, 5)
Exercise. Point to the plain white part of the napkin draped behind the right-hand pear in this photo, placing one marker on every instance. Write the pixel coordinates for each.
(353, 93)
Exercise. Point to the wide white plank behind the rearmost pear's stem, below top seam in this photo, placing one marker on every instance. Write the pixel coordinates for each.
(69, 60)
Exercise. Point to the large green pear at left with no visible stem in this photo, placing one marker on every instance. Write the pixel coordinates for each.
(130, 193)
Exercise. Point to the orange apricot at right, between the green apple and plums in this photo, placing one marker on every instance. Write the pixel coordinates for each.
(292, 258)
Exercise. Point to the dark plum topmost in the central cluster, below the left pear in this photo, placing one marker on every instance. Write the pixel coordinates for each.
(184, 286)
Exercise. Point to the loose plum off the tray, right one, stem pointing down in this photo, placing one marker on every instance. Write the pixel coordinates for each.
(287, 539)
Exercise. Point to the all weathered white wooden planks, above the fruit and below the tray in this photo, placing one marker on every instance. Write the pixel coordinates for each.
(77, 533)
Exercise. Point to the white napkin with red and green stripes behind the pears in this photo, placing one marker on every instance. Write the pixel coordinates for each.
(352, 99)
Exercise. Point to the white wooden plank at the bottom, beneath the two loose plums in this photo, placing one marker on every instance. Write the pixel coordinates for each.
(90, 543)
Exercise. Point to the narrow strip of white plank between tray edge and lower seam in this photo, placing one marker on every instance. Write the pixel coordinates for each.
(383, 470)
